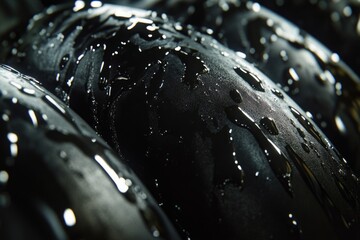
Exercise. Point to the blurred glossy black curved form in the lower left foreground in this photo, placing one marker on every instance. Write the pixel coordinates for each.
(54, 168)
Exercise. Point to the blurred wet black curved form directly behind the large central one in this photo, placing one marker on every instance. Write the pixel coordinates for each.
(242, 29)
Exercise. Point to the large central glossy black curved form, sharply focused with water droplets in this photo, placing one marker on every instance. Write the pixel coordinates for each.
(174, 116)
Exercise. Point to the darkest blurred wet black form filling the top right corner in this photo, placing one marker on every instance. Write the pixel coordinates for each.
(326, 21)
